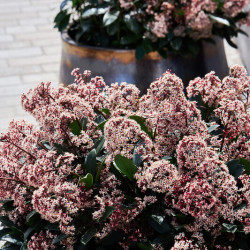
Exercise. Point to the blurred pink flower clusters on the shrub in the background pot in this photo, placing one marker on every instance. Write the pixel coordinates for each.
(185, 18)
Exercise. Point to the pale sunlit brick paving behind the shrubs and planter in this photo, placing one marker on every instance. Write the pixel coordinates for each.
(30, 52)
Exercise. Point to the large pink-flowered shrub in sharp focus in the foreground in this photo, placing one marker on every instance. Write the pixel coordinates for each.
(108, 169)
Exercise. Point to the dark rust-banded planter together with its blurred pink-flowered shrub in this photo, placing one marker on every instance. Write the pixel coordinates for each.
(127, 40)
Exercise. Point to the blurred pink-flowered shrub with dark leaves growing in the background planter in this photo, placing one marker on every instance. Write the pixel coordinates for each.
(151, 25)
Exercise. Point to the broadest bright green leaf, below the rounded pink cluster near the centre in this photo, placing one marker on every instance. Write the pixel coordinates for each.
(125, 166)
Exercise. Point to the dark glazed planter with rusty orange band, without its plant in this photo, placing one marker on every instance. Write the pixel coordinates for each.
(121, 66)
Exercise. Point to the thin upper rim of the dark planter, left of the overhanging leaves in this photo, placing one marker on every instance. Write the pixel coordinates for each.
(66, 38)
